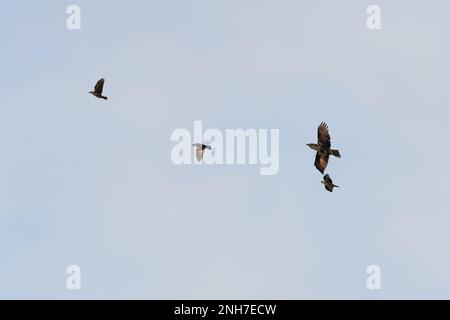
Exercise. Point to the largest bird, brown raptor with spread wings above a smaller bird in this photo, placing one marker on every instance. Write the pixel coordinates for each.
(323, 148)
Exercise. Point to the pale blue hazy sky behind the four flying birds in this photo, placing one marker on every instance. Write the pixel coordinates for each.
(91, 183)
